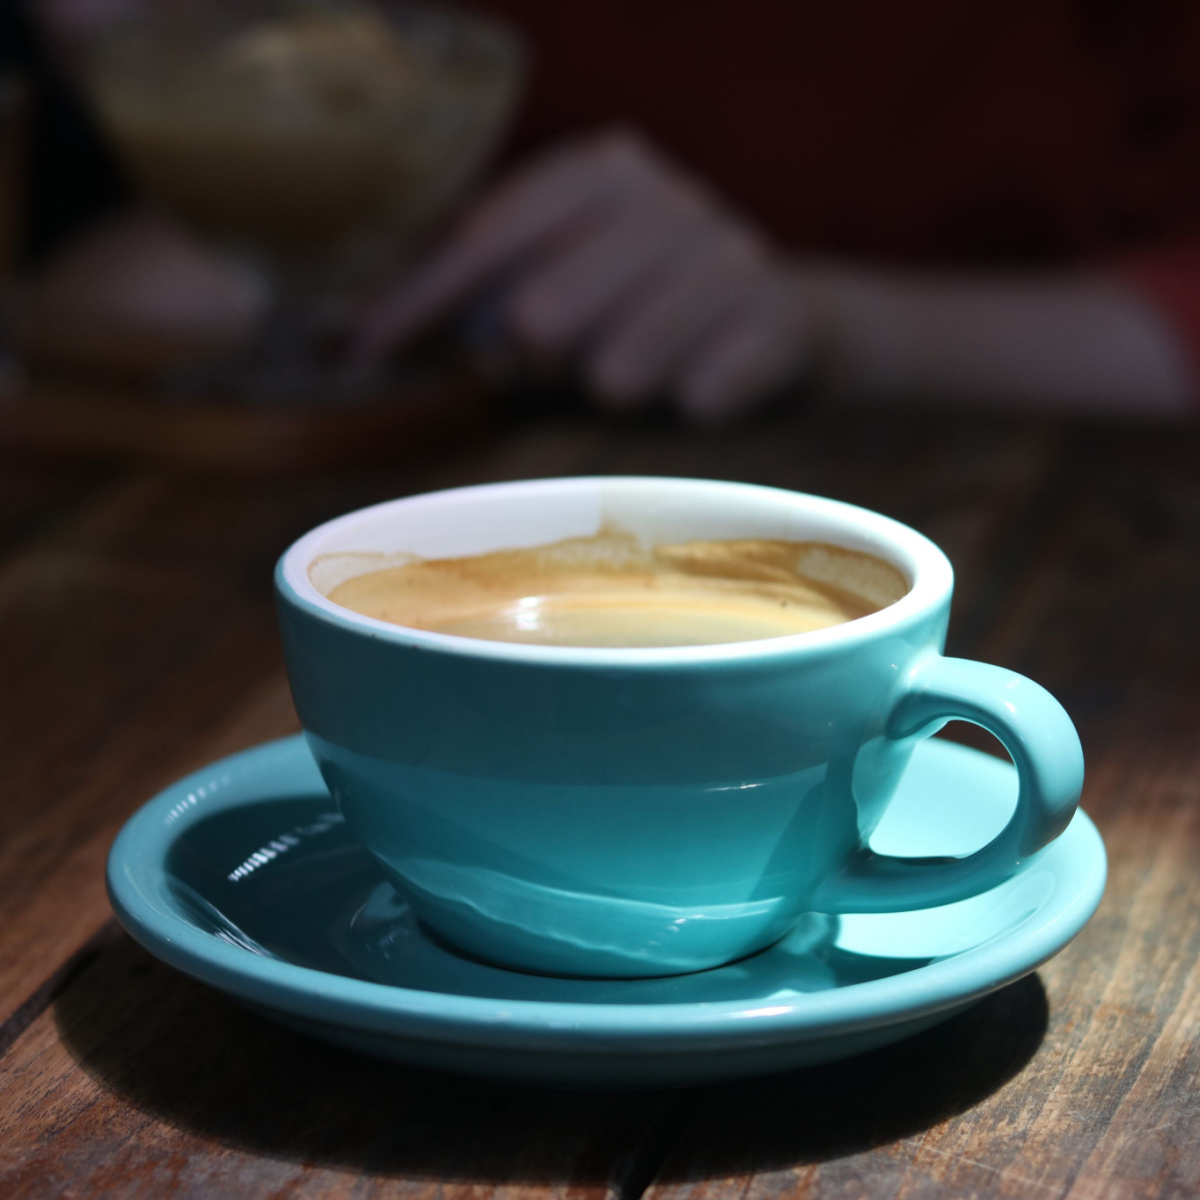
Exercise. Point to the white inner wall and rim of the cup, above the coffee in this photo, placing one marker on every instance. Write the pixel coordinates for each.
(512, 517)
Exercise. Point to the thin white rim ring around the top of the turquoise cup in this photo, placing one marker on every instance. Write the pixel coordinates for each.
(921, 561)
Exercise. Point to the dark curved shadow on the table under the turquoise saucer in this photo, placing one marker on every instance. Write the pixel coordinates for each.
(208, 1070)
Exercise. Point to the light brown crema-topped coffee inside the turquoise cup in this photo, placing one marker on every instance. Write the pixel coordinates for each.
(609, 591)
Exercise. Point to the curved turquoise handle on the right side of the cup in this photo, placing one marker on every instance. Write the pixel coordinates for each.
(1039, 735)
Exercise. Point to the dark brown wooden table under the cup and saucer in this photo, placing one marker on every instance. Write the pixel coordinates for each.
(137, 641)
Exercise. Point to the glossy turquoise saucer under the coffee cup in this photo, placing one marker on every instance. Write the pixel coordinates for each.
(245, 877)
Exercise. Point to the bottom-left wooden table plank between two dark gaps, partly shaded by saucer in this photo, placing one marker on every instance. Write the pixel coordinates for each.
(147, 1082)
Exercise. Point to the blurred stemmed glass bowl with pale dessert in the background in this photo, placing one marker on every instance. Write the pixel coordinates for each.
(317, 141)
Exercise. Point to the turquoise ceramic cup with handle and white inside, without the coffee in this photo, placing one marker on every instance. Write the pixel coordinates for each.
(621, 813)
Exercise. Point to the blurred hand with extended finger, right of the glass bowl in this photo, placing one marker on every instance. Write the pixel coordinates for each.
(605, 254)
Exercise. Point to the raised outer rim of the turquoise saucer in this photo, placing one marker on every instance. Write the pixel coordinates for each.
(136, 877)
